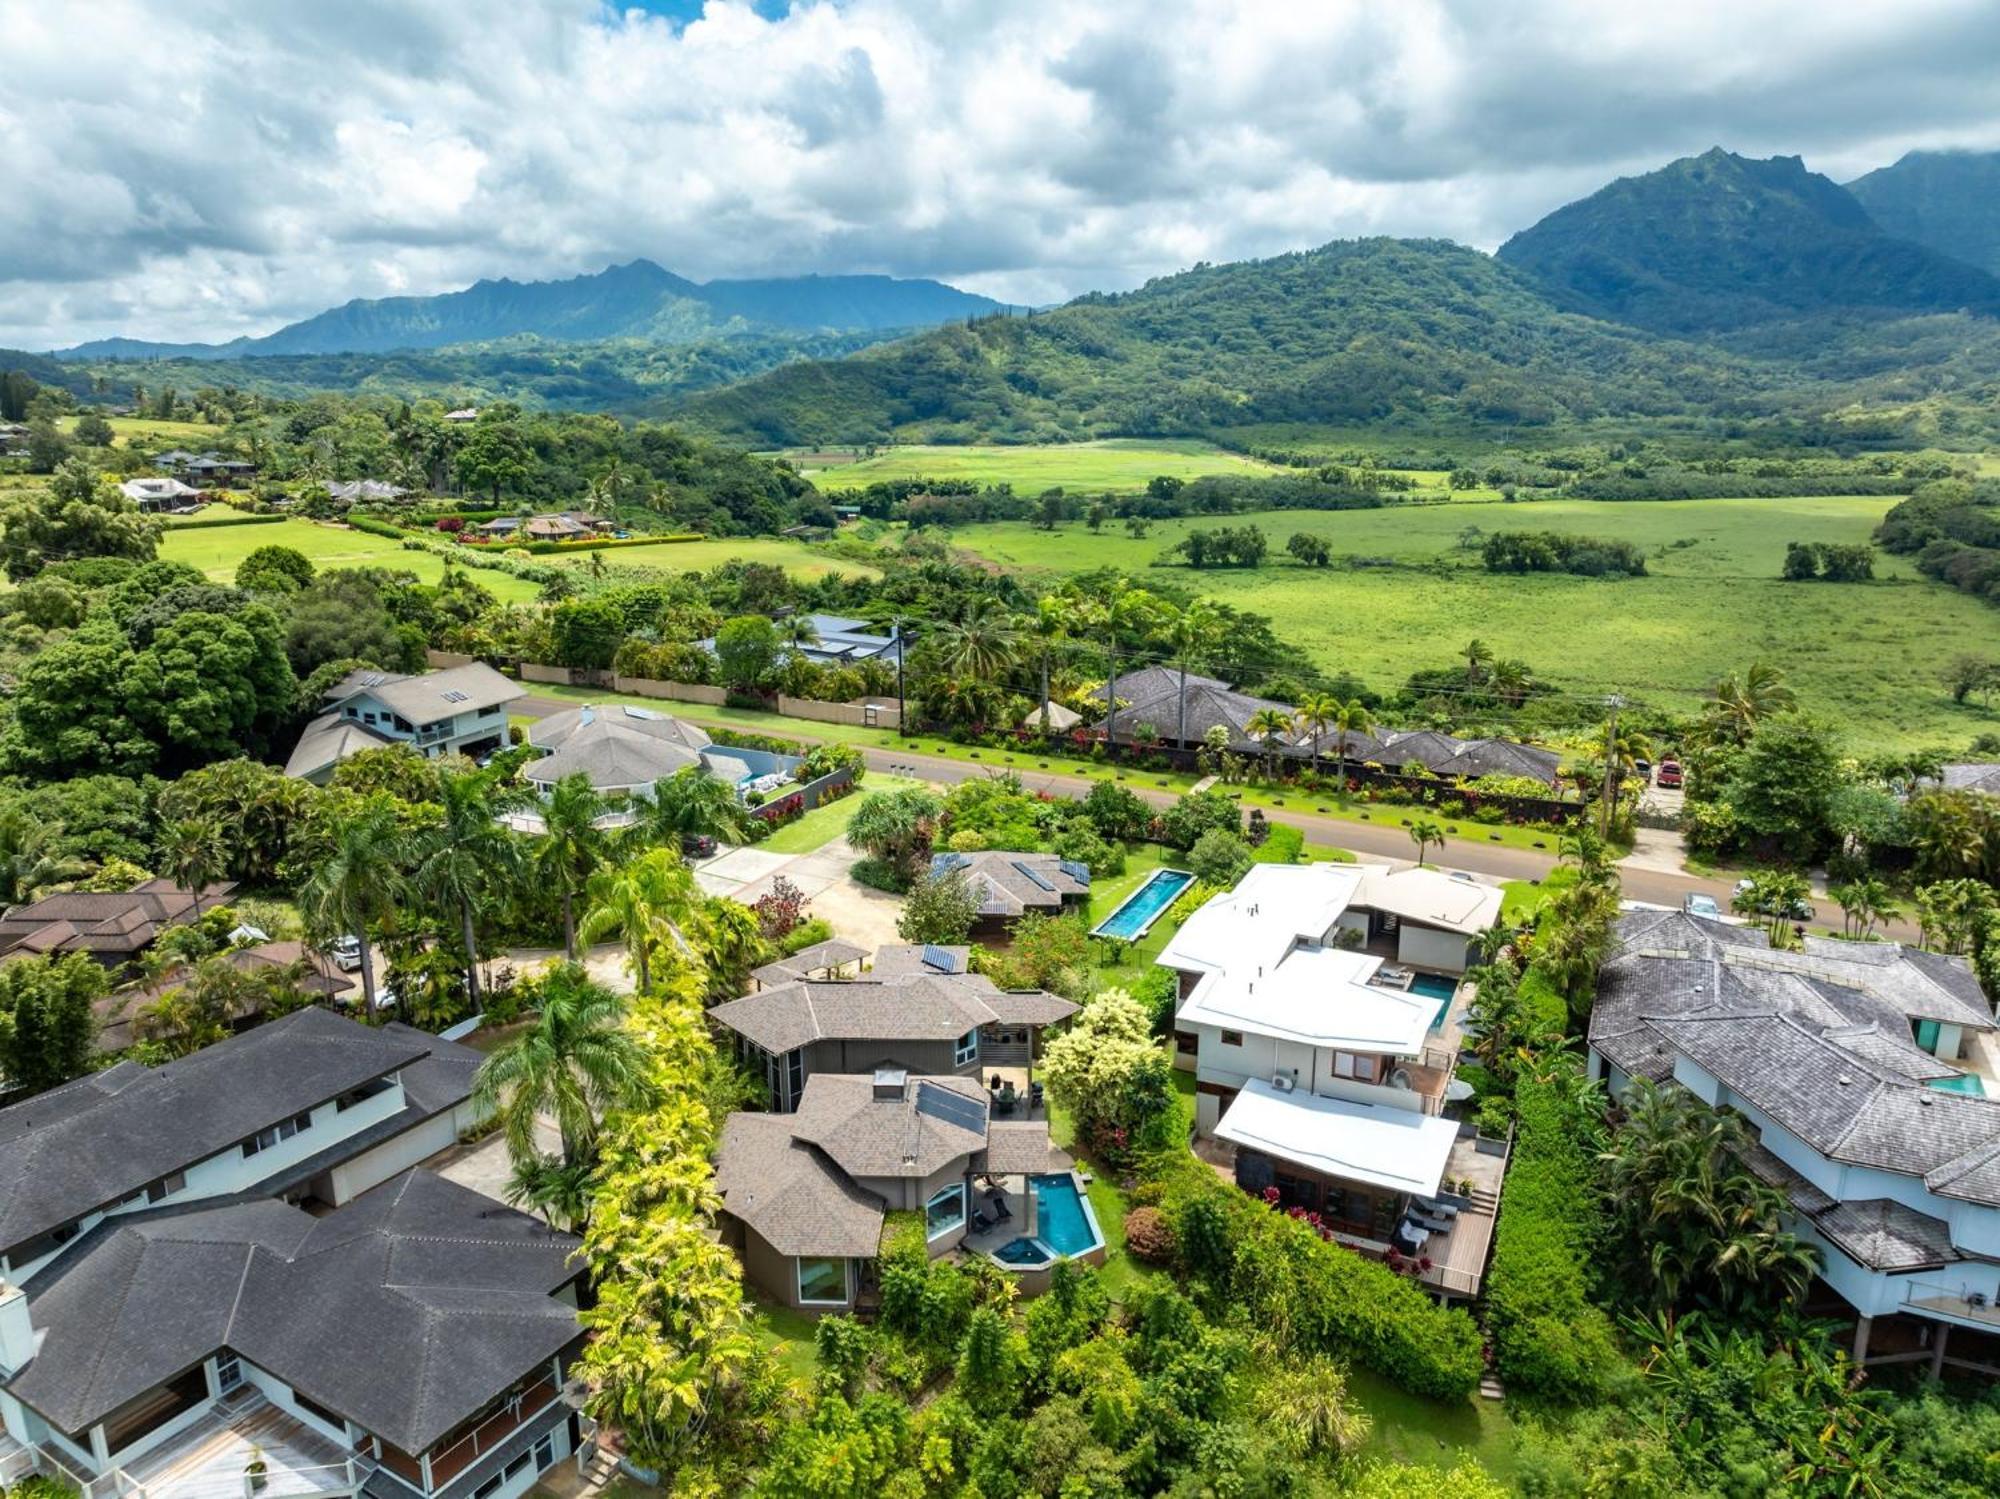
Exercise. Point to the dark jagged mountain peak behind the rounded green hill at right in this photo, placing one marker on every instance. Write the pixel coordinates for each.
(1719, 241)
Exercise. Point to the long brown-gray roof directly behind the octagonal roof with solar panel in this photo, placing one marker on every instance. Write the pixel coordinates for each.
(879, 1008)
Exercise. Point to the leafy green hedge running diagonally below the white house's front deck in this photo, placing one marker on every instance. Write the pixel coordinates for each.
(1313, 1294)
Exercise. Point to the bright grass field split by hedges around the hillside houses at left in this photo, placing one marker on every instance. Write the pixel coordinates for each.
(217, 553)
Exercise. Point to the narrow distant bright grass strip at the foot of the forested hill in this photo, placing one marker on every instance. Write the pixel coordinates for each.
(1117, 467)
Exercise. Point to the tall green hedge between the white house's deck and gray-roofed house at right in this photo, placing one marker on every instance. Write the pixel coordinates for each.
(1549, 1338)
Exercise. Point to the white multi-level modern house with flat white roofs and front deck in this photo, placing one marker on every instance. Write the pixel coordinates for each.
(1319, 1010)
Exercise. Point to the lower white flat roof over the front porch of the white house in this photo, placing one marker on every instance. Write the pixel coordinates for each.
(1377, 1146)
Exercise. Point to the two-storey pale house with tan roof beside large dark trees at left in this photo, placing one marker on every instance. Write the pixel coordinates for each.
(459, 711)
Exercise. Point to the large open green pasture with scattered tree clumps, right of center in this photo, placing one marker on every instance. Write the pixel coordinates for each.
(1863, 655)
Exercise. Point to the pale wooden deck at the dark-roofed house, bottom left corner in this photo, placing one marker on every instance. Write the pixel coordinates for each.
(207, 1460)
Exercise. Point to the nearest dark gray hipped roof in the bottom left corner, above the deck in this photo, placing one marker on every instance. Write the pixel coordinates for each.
(405, 1312)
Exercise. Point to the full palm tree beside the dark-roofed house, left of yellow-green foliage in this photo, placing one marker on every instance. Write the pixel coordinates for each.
(575, 1064)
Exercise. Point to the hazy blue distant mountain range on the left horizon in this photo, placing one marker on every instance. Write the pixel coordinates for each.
(635, 301)
